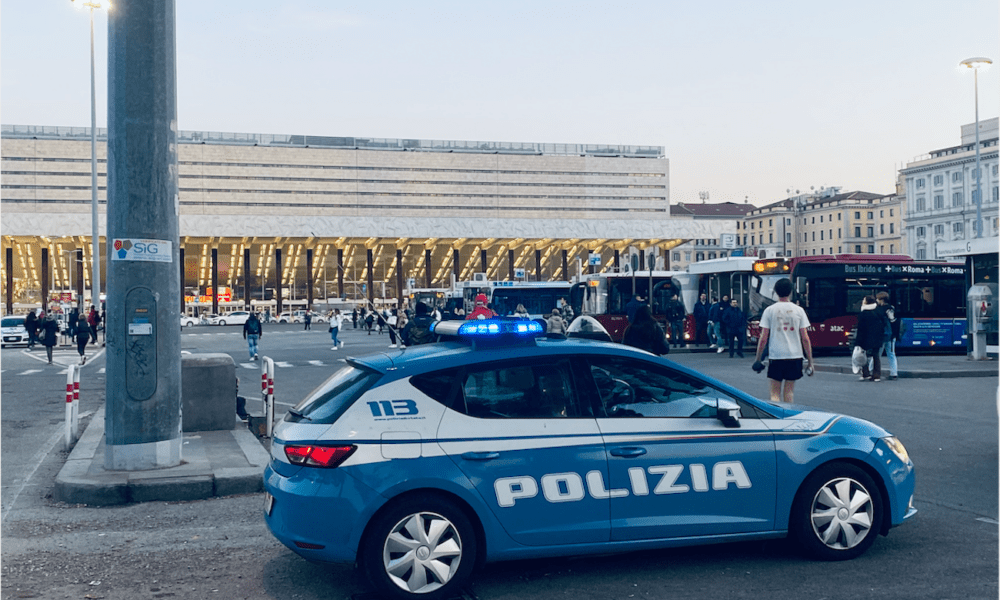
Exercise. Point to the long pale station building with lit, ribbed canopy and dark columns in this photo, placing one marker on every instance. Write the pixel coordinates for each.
(308, 218)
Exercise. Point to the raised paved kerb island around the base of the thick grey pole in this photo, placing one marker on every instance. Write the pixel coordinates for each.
(213, 463)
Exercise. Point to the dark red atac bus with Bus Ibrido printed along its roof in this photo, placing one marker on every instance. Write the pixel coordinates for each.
(929, 296)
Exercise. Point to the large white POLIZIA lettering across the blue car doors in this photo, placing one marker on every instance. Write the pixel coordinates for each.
(667, 479)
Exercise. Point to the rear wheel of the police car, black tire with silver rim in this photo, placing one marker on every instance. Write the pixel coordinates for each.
(399, 558)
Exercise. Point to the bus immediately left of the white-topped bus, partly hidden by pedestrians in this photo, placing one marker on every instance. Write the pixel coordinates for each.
(603, 296)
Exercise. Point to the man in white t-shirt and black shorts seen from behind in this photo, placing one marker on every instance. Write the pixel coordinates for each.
(784, 333)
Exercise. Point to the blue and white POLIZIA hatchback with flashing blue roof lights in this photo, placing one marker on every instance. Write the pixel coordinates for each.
(422, 464)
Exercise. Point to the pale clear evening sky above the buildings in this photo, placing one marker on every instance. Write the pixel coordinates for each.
(747, 98)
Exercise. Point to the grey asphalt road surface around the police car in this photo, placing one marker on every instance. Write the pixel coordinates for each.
(220, 548)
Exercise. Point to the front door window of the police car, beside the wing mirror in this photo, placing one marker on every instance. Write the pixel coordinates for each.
(633, 388)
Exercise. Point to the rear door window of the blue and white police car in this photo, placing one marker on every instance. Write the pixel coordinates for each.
(535, 390)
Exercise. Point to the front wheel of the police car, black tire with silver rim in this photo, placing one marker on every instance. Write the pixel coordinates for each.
(837, 513)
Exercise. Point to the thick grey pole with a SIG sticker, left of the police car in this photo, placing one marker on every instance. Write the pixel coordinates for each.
(143, 393)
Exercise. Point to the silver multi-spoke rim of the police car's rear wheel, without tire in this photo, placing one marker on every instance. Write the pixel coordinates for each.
(422, 552)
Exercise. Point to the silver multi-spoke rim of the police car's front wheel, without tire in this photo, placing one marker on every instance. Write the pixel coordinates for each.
(841, 514)
